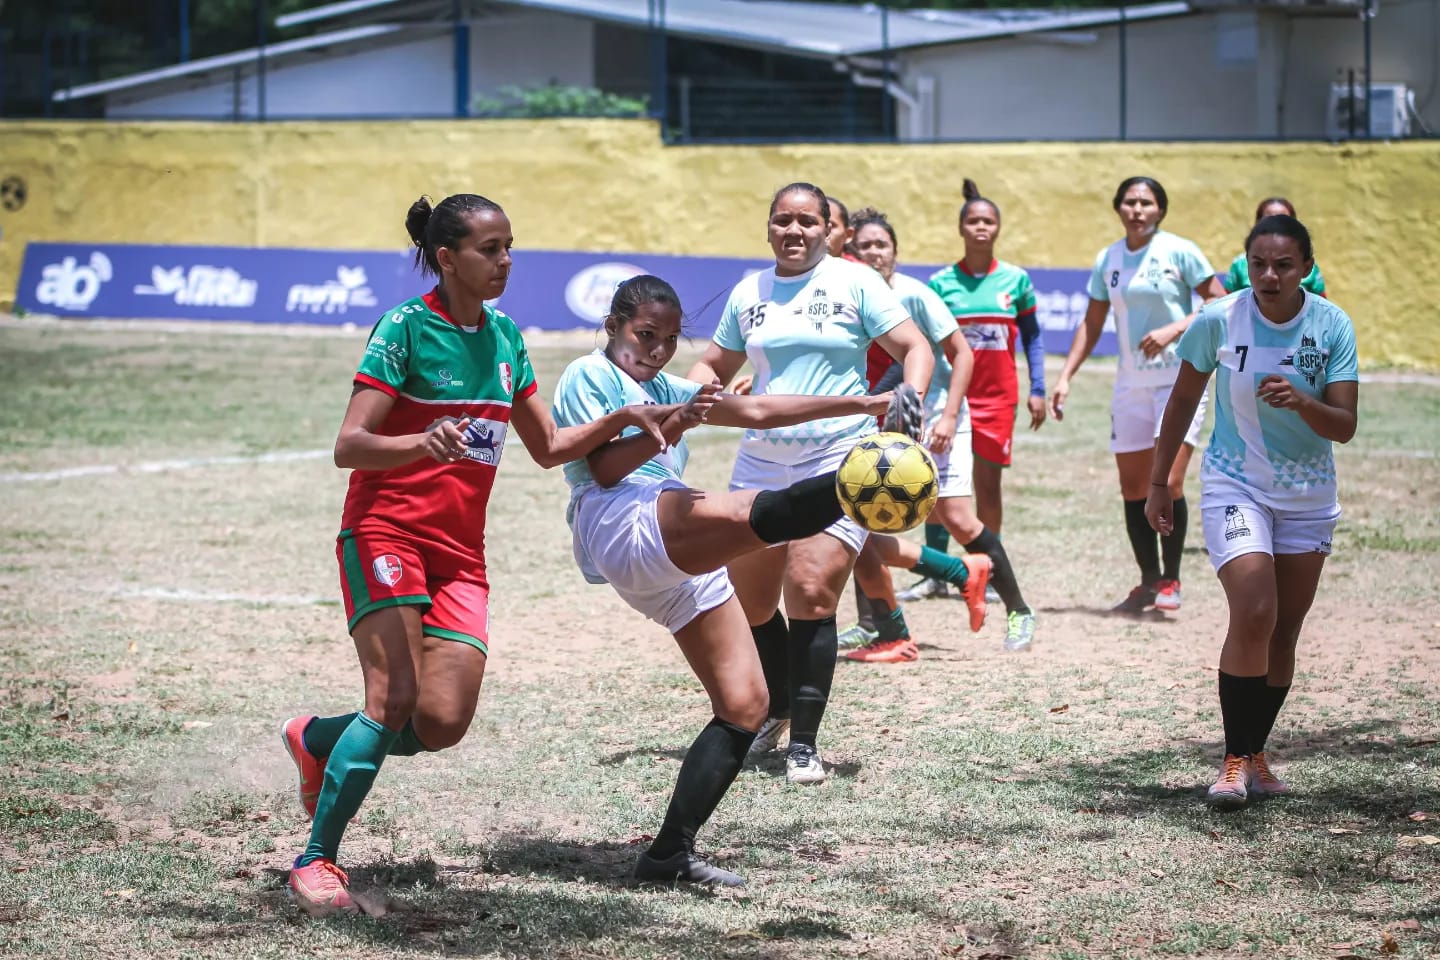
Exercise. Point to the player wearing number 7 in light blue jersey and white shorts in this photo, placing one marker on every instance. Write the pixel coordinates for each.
(1287, 388)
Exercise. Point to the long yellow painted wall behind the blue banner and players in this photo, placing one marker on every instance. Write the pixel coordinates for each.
(611, 186)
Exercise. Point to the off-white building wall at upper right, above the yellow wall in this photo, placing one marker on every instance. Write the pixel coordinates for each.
(1216, 76)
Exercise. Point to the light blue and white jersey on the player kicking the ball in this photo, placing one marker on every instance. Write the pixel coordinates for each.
(593, 386)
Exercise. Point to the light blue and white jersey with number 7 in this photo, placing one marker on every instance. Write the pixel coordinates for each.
(1271, 454)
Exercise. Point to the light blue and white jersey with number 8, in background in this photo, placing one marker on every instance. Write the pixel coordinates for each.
(1147, 290)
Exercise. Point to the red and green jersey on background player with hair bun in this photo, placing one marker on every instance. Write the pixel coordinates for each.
(989, 310)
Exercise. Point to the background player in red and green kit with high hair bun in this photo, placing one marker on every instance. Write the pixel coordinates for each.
(993, 303)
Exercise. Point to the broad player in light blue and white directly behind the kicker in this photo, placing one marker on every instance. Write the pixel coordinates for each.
(806, 327)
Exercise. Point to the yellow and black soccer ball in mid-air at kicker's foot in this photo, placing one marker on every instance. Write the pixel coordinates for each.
(888, 484)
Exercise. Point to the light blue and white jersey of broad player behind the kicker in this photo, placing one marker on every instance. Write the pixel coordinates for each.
(809, 335)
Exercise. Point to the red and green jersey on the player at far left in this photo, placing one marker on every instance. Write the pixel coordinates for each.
(436, 368)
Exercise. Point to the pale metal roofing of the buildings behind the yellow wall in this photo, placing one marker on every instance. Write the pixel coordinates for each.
(786, 27)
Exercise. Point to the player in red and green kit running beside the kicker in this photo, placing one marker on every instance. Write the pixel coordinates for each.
(441, 382)
